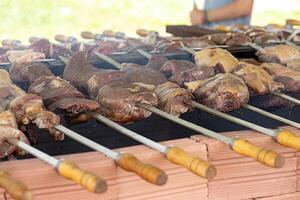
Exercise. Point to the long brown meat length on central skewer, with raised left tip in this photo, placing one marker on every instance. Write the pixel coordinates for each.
(117, 96)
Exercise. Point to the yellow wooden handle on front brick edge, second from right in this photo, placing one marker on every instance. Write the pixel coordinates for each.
(264, 156)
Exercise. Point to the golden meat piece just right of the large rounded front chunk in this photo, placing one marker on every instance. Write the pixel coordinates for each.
(257, 79)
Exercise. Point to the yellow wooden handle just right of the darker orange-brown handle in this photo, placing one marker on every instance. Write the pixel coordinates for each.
(192, 163)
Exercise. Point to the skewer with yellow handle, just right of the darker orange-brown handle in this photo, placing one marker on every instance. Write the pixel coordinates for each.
(172, 153)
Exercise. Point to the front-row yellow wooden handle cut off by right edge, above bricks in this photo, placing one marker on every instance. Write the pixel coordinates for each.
(288, 139)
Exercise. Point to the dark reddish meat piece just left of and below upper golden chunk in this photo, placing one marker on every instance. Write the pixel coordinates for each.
(180, 71)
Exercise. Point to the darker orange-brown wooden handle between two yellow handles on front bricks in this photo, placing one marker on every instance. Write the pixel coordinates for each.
(148, 172)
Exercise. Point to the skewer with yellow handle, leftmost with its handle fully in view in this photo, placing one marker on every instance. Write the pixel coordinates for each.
(67, 169)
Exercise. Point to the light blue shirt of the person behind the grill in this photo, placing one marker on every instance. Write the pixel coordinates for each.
(213, 4)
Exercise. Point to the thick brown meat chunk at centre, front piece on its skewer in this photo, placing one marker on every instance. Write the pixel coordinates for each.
(119, 99)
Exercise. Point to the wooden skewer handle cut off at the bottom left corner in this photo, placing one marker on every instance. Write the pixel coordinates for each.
(16, 189)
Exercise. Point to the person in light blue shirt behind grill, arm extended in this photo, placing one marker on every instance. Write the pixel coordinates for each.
(222, 12)
